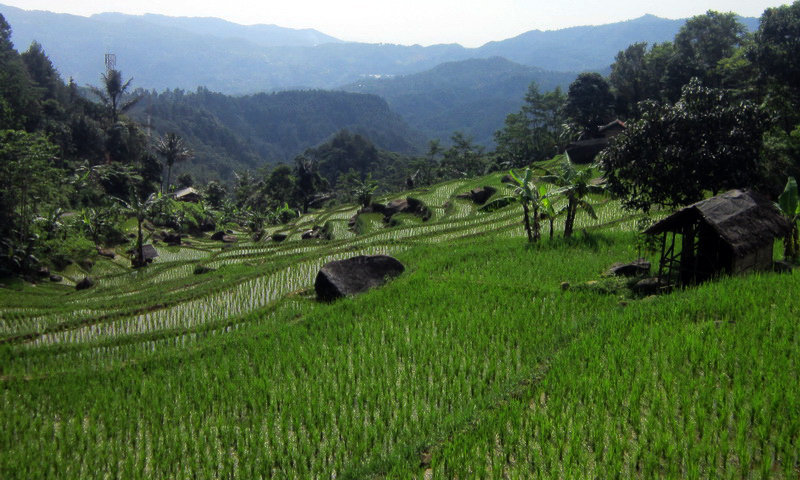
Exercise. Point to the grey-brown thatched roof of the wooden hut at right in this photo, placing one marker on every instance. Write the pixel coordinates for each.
(744, 220)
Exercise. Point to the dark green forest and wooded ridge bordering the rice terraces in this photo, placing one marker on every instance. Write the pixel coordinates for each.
(713, 109)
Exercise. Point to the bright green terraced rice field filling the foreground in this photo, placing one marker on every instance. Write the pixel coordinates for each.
(474, 356)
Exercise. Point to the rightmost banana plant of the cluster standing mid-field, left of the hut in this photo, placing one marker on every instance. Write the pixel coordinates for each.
(574, 186)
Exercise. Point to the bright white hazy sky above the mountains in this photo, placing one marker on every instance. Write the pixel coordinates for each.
(468, 22)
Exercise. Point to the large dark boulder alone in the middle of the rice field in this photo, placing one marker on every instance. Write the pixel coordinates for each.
(355, 275)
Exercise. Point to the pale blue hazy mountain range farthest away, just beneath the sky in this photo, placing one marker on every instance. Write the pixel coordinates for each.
(166, 52)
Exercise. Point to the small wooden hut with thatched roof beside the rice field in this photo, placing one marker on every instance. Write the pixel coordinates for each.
(731, 233)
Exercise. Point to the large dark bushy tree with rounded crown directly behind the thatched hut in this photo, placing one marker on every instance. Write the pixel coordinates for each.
(673, 153)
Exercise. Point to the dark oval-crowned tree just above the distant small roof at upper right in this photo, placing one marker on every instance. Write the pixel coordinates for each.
(590, 103)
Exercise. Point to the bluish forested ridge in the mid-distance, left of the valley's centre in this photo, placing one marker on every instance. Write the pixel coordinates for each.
(229, 134)
